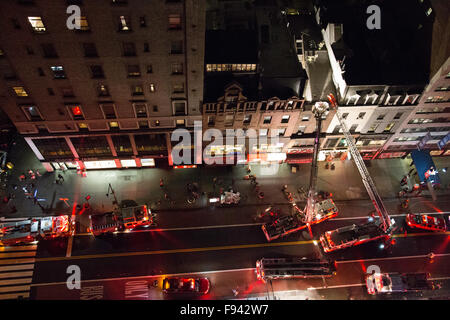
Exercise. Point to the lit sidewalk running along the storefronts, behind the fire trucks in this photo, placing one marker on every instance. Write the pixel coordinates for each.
(142, 185)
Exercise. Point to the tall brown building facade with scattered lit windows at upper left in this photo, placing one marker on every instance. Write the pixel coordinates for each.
(106, 95)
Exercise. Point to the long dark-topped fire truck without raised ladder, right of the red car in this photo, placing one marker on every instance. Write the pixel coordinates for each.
(292, 268)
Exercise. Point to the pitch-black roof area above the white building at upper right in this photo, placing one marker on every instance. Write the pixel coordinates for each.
(398, 53)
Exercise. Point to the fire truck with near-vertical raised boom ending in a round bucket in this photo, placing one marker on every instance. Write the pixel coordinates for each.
(317, 208)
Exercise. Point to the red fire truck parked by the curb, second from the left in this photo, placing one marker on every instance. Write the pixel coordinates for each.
(123, 218)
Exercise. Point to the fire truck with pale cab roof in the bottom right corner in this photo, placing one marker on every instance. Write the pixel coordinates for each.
(387, 283)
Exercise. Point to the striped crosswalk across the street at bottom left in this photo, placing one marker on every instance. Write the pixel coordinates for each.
(16, 271)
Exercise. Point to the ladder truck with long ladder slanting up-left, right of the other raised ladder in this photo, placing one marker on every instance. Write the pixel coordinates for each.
(353, 235)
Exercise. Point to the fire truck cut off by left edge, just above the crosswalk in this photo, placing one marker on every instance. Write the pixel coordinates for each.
(34, 229)
